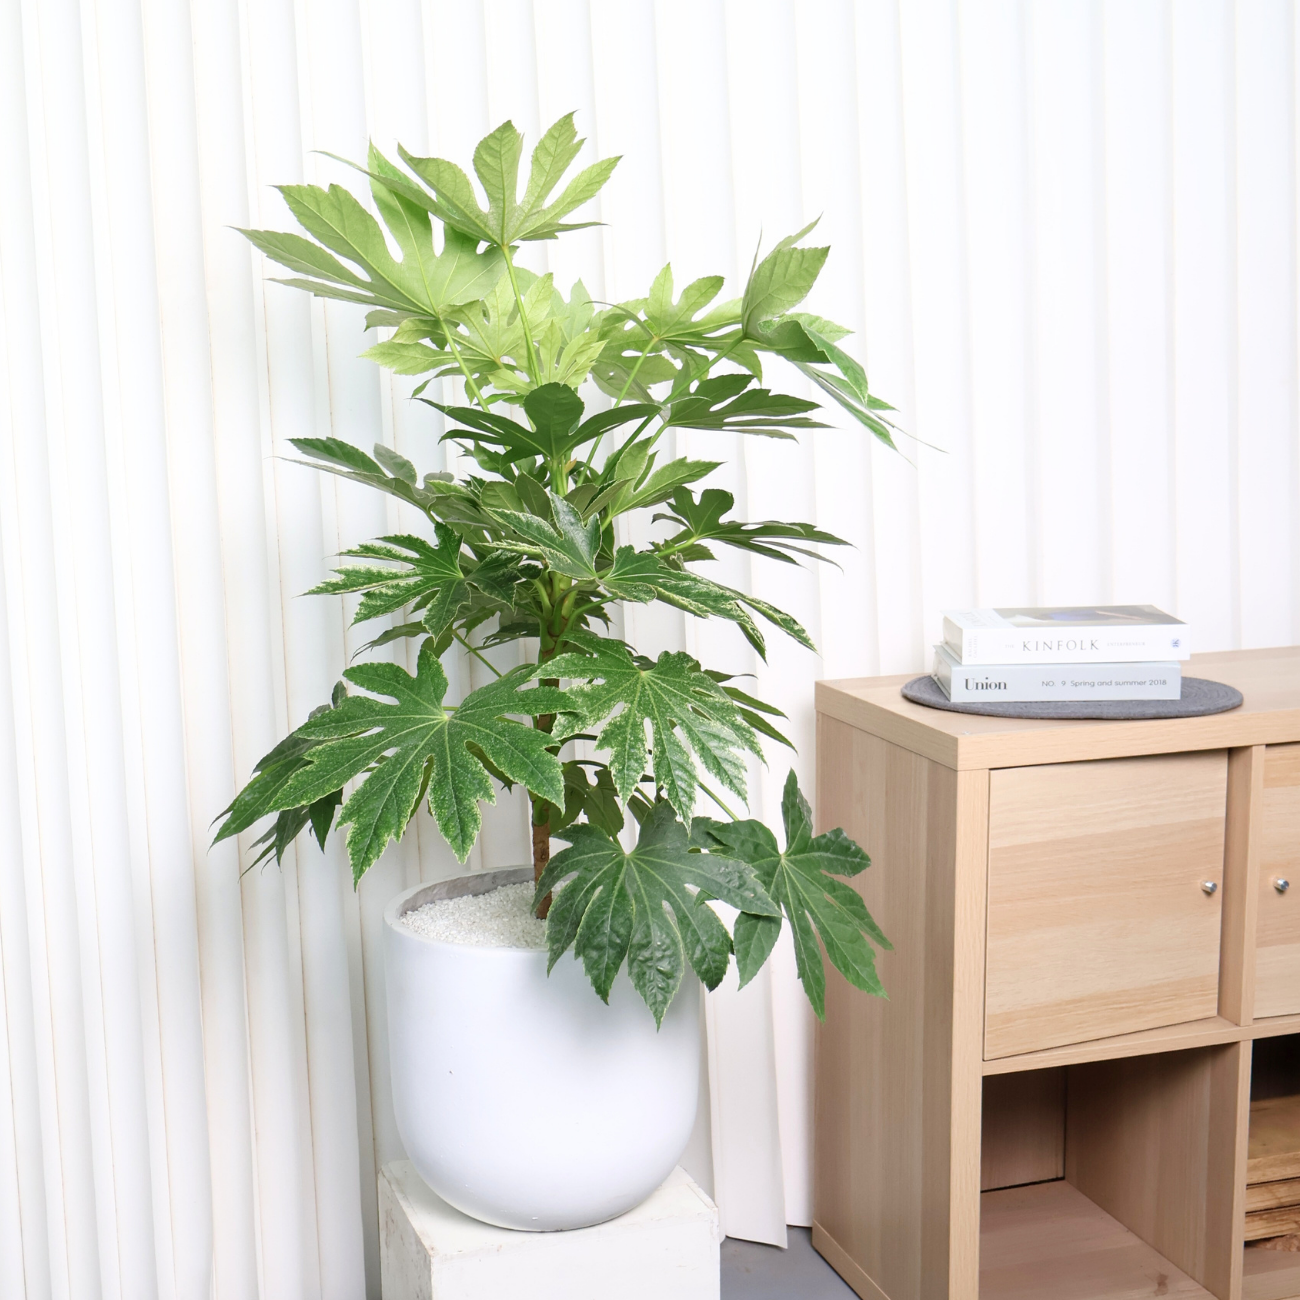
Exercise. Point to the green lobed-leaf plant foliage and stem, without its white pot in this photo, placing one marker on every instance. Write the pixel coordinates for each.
(566, 405)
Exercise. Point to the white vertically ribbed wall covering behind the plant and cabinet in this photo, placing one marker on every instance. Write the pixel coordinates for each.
(1065, 232)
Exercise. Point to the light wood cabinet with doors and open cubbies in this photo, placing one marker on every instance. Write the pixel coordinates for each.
(1094, 942)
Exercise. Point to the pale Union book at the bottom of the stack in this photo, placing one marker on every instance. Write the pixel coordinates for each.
(1033, 683)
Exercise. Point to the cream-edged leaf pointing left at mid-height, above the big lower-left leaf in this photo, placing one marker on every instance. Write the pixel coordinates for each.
(430, 579)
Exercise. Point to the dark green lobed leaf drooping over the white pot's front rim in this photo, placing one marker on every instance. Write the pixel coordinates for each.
(648, 907)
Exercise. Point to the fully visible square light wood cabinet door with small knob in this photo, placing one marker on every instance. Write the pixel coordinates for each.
(1099, 921)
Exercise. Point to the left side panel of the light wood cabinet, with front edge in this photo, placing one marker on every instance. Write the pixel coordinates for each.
(899, 1086)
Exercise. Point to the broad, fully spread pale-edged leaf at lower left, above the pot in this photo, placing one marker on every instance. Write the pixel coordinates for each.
(417, 743)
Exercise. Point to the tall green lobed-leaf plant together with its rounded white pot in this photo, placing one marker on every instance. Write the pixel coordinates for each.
(556, 1089)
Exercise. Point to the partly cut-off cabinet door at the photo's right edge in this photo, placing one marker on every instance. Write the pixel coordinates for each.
(1277, 963)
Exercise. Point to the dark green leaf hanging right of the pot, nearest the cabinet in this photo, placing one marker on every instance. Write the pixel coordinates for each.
(803, 881)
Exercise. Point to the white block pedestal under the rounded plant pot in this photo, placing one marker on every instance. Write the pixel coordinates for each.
(668, 1249)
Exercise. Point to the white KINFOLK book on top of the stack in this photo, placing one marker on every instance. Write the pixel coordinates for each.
(1099, 634)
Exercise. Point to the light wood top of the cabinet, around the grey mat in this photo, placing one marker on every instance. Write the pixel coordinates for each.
(1271, 716)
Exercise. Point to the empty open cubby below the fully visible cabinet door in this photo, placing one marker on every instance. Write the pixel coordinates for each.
(1098, 1180)
